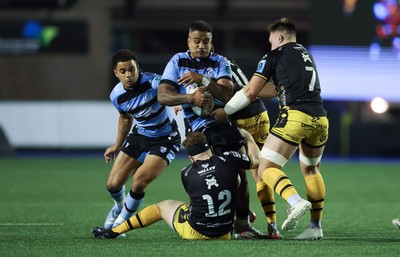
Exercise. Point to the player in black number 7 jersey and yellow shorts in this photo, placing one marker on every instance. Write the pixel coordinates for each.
(302, 123)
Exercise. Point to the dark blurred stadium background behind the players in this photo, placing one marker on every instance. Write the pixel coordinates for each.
(56, 74)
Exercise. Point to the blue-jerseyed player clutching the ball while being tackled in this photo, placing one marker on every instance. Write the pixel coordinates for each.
(185, 78)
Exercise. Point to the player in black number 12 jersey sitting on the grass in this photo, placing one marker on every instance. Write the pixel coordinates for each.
(211, 182)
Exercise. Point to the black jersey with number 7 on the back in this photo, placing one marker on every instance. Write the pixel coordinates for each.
(293, 70)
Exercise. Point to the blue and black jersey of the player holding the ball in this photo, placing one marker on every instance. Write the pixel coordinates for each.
(214, 66)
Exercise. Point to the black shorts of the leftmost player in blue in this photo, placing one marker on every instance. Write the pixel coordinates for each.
(139, 146)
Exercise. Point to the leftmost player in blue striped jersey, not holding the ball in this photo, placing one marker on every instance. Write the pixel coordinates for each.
(144, 150)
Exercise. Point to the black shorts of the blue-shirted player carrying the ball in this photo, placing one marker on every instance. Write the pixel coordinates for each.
(223, 136)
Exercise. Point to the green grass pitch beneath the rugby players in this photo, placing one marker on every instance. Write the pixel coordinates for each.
(49, 205)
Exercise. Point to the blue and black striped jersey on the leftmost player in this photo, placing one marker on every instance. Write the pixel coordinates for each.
(151, 118)
